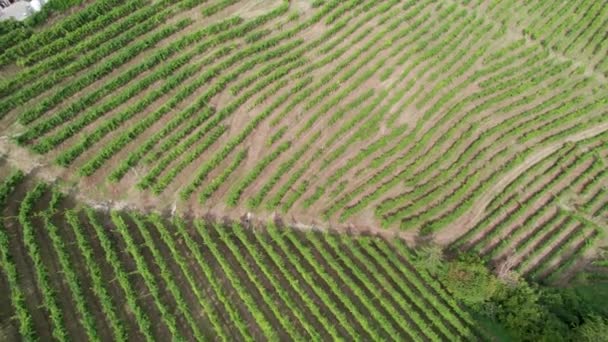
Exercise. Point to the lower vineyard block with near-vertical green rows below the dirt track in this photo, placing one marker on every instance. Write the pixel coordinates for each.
(125, 275)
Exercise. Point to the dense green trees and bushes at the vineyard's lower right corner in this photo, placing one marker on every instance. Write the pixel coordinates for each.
(526, 311)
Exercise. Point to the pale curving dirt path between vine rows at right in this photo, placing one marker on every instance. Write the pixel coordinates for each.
(461, 225)
